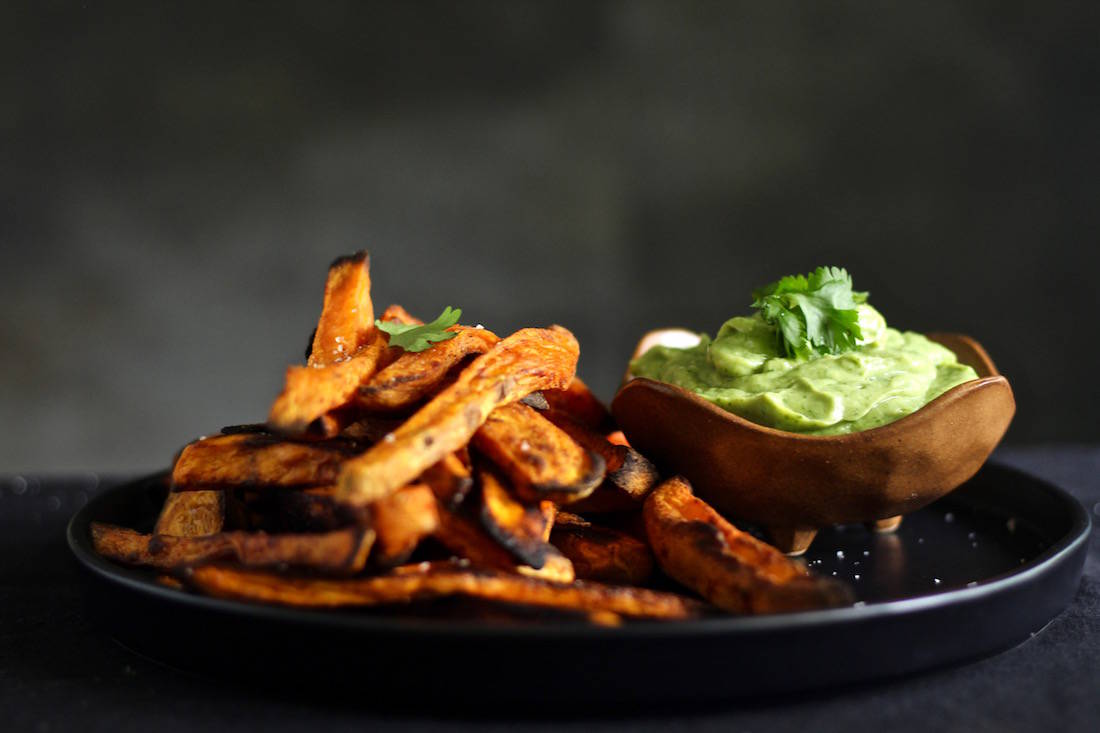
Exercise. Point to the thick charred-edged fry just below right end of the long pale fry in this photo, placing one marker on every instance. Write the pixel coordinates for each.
(541, 461)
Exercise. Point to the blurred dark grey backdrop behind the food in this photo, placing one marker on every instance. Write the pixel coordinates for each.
(177, 179)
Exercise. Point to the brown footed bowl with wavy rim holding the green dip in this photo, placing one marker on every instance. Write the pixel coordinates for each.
(793, 485)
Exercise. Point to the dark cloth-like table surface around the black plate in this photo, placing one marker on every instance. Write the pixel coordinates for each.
(60, 673)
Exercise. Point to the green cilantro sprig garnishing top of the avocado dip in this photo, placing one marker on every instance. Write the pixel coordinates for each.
(813, 314)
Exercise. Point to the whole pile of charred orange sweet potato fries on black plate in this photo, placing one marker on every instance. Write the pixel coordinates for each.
(480, 469)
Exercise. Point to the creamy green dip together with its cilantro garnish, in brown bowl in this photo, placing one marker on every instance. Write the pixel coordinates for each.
(815, 359)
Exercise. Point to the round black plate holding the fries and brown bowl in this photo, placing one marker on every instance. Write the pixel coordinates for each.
(974, 574)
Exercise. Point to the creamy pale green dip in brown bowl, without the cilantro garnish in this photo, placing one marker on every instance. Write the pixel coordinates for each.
(889, 376)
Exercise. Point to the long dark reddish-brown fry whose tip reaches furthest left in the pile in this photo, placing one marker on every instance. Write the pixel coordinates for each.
(342, 552)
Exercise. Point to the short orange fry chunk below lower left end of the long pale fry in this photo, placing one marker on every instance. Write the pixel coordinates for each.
(401, 521)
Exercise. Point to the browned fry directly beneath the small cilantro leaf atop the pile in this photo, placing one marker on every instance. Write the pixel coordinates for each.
(415, 376)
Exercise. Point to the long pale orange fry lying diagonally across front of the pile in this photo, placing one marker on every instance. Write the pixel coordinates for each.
(529, 360)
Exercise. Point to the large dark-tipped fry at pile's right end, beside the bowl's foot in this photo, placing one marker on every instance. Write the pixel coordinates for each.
(734, 571)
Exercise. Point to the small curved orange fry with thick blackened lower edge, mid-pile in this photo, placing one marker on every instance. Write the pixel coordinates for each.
(518, 528)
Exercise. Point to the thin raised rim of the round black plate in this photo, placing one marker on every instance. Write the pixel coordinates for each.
(1066, 546)
